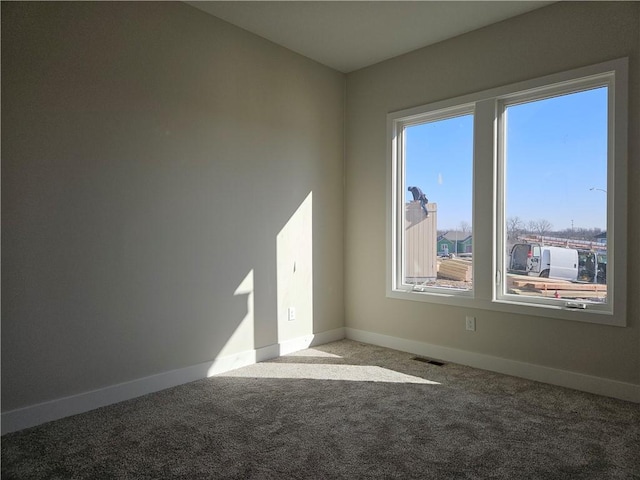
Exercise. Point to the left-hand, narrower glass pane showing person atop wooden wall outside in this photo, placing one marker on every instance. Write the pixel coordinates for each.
(437, 236)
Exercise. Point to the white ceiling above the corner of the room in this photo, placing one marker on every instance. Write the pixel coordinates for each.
(348, 35)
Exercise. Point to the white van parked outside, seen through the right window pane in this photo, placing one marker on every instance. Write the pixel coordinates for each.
(541, 261)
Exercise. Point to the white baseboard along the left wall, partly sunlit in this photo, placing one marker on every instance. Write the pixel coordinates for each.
(33, 415)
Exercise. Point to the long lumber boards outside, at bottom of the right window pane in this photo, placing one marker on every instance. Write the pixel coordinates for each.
(550, 287)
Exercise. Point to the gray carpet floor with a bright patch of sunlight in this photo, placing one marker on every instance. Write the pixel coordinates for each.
(341, 410)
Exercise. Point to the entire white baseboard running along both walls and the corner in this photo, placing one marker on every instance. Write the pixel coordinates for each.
(33, 415)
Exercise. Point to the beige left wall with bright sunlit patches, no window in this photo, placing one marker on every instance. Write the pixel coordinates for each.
(151, 156)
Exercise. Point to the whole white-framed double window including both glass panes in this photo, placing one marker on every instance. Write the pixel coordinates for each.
(514, 199)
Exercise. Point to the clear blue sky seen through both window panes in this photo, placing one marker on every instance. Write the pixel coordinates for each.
(556, 152)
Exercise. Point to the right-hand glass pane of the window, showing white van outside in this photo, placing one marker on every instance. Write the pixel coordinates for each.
(556, 197)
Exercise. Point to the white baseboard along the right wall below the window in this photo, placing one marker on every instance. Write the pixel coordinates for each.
(553, 376)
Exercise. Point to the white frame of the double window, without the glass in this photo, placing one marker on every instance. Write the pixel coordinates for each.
(488, 179)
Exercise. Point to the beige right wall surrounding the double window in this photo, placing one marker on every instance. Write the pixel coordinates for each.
(555, 38)
